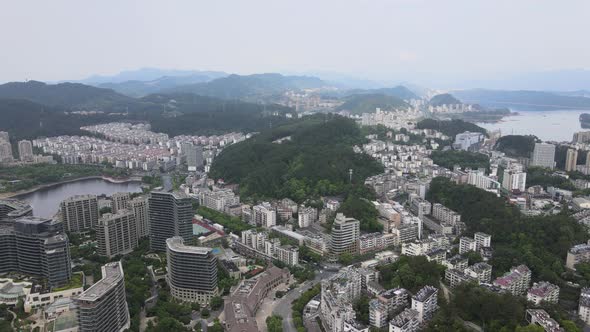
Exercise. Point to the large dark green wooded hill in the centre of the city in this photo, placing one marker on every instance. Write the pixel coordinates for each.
(315, 161)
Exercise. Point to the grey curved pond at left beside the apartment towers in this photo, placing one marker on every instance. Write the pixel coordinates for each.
(45, 202)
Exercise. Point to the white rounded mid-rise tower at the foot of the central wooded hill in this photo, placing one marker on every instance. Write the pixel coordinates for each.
(345, 235)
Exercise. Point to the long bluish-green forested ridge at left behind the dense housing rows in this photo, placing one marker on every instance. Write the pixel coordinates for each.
(28, 113)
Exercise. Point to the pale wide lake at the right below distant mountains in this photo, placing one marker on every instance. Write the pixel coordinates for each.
(547, 125)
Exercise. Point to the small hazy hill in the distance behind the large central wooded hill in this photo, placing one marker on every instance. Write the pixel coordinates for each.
(367, 103)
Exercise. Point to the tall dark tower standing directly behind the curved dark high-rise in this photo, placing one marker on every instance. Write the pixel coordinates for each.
(170, 214)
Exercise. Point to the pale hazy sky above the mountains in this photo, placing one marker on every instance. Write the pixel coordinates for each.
(385, 40)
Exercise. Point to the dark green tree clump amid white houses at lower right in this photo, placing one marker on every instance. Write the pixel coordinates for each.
(411, 273)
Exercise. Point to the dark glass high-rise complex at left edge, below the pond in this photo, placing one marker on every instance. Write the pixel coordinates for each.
(36, 246)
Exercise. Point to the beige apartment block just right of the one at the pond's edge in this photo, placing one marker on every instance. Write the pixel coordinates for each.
(116, 233)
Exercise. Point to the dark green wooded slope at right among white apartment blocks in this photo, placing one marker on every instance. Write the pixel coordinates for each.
(539, 242)
